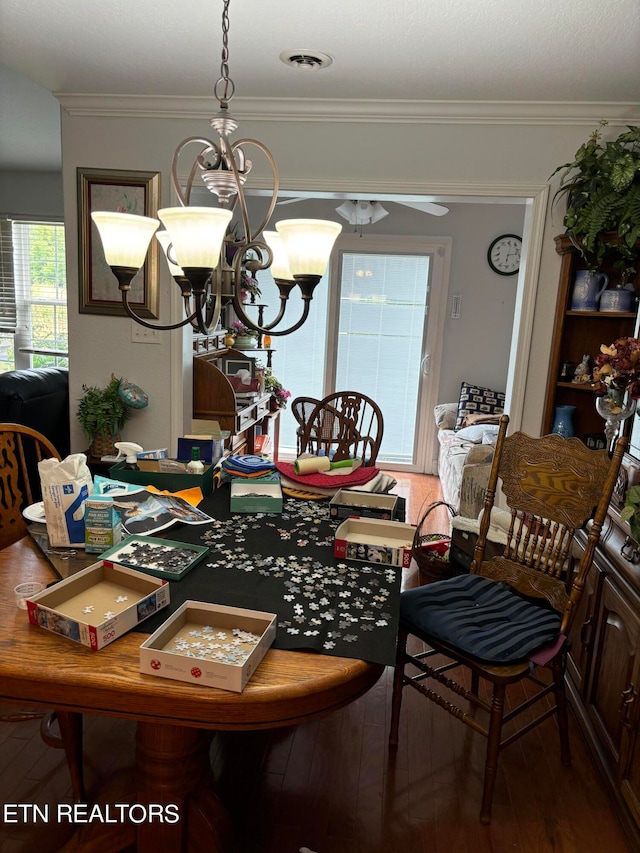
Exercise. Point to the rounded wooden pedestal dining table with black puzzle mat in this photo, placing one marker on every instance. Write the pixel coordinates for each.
(299, 679)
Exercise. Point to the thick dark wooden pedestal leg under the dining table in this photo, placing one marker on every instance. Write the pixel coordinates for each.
(174, 768)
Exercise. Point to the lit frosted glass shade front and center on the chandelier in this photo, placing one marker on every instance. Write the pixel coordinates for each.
(196, 233)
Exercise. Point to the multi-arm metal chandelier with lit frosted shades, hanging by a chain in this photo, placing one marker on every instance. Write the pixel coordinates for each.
(195, 239)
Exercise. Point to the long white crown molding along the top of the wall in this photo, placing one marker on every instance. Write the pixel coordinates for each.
(371, 111)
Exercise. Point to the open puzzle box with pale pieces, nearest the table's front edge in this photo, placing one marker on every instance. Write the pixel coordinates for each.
(170, 652)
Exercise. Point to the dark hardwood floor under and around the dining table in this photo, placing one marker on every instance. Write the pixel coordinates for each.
(334, 786)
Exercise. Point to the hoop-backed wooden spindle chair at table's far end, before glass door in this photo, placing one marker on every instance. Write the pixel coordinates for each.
(344, 425)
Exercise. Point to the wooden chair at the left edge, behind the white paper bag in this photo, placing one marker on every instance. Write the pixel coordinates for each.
(21, 448)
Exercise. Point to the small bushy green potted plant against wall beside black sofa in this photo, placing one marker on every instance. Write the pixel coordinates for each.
(102, 412)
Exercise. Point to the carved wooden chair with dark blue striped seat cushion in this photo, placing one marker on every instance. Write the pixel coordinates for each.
(508, 620)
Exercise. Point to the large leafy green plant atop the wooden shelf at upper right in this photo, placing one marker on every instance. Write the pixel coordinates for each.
(602, 189)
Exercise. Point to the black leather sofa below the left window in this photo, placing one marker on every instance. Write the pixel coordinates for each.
(38, 398)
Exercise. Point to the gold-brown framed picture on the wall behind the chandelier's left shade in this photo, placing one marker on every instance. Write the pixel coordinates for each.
(126, 192)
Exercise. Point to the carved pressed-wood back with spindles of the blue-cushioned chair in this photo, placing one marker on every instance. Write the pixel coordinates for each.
(552, 486)
